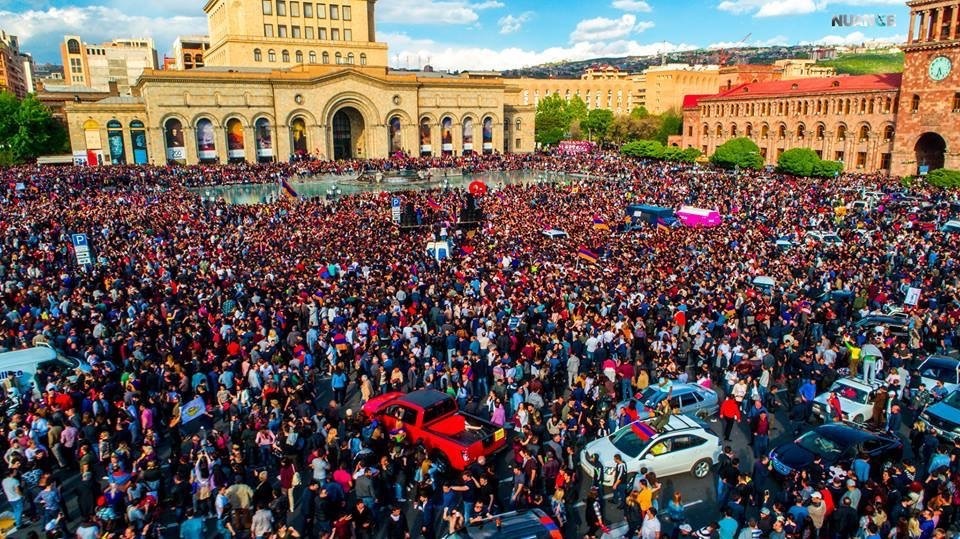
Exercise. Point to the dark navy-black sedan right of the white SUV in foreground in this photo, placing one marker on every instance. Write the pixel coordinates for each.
(838, 443)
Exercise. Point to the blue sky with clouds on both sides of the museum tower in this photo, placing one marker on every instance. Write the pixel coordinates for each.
(489, 34)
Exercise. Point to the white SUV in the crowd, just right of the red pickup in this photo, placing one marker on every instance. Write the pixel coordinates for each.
(683, 445)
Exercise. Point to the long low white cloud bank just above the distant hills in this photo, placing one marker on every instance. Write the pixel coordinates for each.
(407, 52)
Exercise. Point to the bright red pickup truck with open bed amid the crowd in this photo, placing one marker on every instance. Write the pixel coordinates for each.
(432, 418)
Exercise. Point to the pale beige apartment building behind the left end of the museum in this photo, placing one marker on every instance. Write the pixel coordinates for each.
(94, 66)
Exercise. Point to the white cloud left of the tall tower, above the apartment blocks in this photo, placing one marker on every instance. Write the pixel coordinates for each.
(42, 31)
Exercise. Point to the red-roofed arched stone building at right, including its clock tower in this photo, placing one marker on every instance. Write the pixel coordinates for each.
(897, 124)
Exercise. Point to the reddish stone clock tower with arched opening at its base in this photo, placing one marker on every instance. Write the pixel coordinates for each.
(928, 112)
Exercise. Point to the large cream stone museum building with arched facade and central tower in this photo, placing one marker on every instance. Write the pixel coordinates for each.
(285, 78)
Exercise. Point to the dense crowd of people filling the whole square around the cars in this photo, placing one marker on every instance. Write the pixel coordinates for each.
(283, 318)
